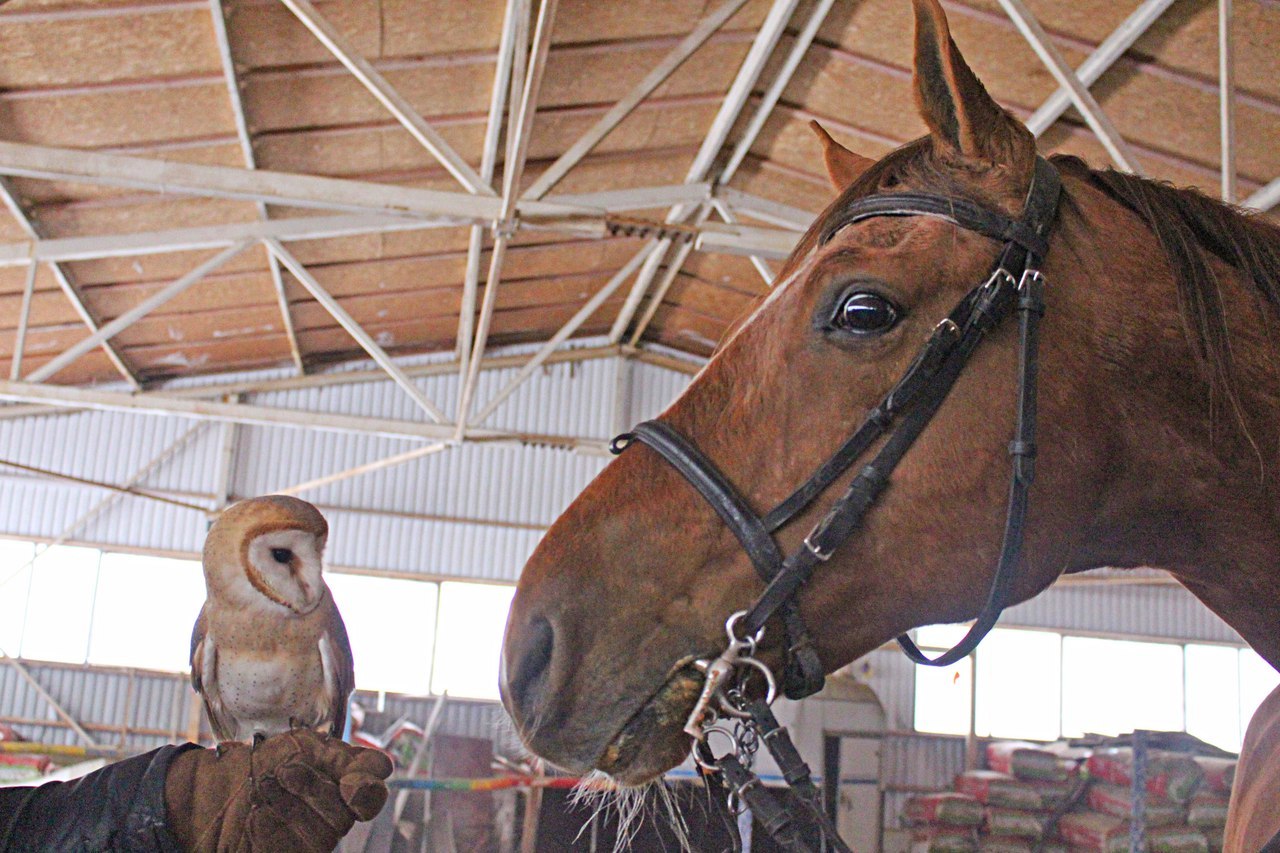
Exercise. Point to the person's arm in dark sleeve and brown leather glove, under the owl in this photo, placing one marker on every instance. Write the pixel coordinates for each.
(295, 792)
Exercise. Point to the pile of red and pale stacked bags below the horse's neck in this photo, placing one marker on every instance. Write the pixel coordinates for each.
(1059, 799)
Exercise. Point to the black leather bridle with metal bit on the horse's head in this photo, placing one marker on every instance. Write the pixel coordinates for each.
(1016, 284)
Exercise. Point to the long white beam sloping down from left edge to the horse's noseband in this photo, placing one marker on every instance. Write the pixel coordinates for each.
(159, 404)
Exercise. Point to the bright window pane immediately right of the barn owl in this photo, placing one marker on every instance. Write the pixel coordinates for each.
(392, 630)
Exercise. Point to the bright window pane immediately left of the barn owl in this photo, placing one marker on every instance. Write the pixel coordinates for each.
(145, 612)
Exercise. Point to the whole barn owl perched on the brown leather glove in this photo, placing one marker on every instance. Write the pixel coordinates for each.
(269, 650)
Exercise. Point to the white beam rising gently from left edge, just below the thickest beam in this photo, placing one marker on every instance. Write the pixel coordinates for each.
(185, 240)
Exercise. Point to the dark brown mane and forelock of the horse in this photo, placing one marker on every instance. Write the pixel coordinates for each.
(1191, 227)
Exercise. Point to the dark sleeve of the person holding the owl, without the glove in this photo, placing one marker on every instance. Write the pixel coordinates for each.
(120, 808)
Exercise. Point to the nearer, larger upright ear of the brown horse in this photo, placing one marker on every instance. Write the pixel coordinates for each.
(954, 103)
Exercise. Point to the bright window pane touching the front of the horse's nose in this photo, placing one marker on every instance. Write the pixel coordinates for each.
(473, 618)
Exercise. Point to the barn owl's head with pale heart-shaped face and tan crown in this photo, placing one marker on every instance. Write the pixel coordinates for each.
(266, 554)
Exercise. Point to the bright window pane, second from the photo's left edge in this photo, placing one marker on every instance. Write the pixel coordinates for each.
(61, 605)
